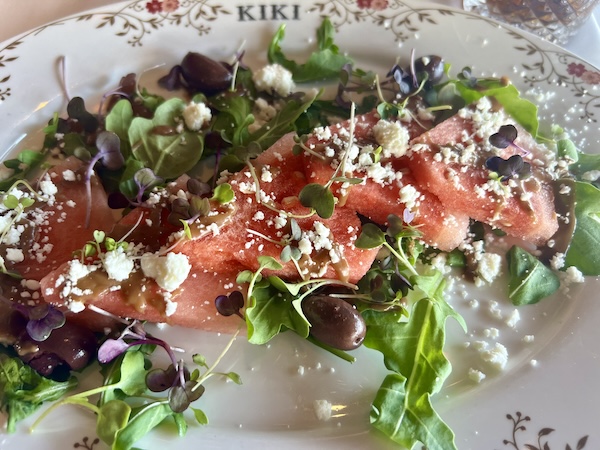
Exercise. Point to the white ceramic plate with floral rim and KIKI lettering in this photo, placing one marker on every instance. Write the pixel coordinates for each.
(547, 397)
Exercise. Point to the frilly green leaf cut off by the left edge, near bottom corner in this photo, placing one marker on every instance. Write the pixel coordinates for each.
(23, 390)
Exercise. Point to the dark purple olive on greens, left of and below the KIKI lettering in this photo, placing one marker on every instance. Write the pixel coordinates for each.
(204, 74)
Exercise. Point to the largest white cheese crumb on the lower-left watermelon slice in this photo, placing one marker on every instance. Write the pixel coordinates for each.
(168, 271)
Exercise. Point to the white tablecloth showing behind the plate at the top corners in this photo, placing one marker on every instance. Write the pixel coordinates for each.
(21, 15)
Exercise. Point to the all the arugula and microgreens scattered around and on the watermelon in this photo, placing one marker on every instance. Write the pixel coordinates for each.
(401, 299)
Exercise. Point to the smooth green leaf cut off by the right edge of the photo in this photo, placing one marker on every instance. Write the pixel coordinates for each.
(584, 250)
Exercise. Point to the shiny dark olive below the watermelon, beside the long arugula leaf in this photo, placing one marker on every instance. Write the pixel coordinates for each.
(334, 322)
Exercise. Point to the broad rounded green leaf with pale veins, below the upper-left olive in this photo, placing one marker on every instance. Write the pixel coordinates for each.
(167, 154)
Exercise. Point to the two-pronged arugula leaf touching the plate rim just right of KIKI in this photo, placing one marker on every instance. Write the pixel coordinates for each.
(323, 64)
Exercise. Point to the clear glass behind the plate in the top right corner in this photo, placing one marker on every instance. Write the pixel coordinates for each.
(554, 20)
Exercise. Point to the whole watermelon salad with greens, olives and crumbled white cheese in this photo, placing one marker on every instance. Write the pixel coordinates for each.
(240, 197)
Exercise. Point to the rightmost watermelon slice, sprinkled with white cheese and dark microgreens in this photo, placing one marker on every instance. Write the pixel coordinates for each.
(443, 162)
